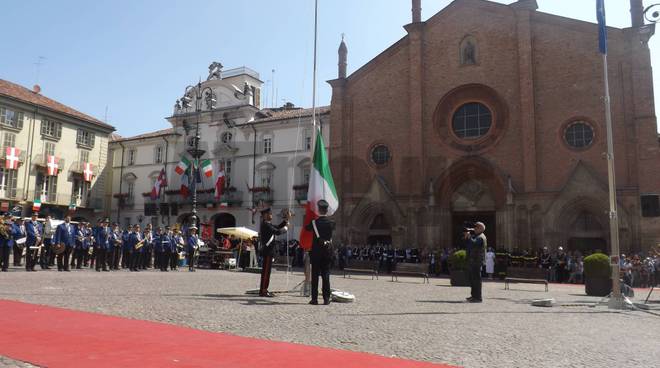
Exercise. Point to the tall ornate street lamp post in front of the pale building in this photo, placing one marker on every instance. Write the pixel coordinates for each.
(200, 95)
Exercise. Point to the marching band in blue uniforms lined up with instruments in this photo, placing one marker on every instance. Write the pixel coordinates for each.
(102, 247)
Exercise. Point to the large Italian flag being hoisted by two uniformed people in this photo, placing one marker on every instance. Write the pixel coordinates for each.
(321, 186)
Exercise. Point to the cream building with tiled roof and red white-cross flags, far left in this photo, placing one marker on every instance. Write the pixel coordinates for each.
(51, 154)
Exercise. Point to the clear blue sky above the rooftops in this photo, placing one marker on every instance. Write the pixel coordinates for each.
(136, 57)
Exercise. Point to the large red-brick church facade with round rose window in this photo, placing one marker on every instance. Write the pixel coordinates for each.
(494, 112)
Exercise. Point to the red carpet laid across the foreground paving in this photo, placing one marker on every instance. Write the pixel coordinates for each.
(55, 337)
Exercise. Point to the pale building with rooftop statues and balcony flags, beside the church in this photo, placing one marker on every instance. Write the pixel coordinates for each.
(265, 154)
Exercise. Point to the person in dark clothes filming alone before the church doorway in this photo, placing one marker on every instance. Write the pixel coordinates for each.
(475, 248)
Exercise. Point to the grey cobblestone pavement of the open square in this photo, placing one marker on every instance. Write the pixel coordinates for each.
(406, 319)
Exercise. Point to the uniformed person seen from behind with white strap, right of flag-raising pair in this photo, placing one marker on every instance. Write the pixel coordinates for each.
(321, 254)
